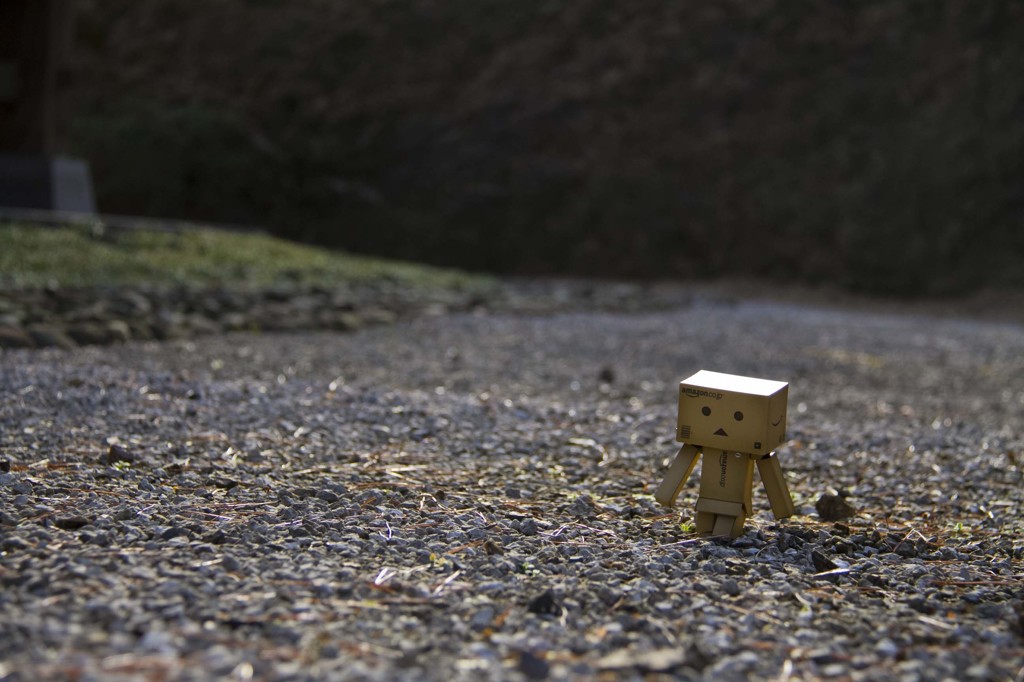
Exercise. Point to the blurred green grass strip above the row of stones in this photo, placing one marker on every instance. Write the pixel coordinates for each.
(34, 257)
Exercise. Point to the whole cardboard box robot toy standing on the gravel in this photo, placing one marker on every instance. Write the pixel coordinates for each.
(736, 422)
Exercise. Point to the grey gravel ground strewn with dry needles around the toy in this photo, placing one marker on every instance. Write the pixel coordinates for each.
(466, 497)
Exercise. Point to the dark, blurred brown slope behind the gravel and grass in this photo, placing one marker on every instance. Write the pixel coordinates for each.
(874, 145)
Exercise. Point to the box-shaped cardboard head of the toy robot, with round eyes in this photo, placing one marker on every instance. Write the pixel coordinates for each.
(733, 413)
